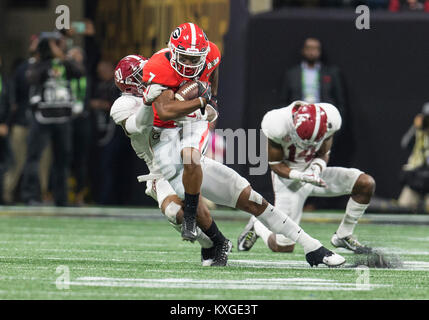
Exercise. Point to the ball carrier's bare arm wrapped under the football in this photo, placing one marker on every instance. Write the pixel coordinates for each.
(169, 109)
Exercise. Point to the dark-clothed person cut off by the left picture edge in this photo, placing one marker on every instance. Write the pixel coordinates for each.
(4, 128)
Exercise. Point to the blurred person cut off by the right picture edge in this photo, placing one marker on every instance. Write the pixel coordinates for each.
(415, 174)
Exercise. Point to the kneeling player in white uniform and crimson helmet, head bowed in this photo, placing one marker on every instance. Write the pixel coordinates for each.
(299, 141)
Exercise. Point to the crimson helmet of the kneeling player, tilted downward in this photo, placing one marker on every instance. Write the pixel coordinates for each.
(310, 122)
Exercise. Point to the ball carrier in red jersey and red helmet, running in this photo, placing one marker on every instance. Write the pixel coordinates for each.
(189, 56)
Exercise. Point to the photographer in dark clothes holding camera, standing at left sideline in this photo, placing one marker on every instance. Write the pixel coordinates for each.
(52, 102)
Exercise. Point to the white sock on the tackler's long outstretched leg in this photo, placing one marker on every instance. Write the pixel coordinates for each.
(279, 222)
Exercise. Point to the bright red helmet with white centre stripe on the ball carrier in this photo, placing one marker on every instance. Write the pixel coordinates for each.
(189, 47)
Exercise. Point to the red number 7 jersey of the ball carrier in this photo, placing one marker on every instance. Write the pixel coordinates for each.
(159, 70)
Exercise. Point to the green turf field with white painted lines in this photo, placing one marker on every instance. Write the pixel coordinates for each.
(80, 257)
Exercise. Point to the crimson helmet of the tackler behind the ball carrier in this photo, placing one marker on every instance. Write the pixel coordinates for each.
(128, 74)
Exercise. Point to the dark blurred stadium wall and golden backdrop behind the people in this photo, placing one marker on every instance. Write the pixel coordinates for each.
(384, 69)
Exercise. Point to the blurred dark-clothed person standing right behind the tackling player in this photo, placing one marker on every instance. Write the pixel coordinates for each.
(112, 153)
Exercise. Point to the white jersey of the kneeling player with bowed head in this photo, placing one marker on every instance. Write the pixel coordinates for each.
(277, 125)
